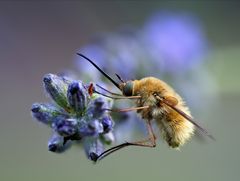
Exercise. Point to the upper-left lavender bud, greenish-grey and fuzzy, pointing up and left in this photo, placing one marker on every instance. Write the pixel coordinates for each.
(56, 87)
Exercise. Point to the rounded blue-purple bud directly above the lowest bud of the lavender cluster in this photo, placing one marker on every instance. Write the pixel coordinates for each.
(93, 128)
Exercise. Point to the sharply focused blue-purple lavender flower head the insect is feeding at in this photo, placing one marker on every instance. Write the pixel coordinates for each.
(76, 115)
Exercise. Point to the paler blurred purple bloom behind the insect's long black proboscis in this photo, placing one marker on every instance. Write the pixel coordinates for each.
(119, 52)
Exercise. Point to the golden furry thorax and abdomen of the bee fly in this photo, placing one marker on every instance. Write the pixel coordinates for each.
(175, 129)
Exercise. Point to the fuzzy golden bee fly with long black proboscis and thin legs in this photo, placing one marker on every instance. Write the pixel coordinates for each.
(155, 100)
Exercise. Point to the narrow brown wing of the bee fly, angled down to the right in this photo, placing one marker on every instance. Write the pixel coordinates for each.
(189, 118)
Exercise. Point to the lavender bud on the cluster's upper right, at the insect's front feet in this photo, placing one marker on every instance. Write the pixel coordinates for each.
(97, 107)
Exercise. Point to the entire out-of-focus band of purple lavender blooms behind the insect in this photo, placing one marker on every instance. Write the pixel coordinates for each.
(168, 43)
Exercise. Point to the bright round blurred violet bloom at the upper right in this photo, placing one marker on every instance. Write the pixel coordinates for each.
(175, 41)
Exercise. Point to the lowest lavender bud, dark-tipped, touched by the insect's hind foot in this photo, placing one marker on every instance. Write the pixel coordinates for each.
(93, 147)
